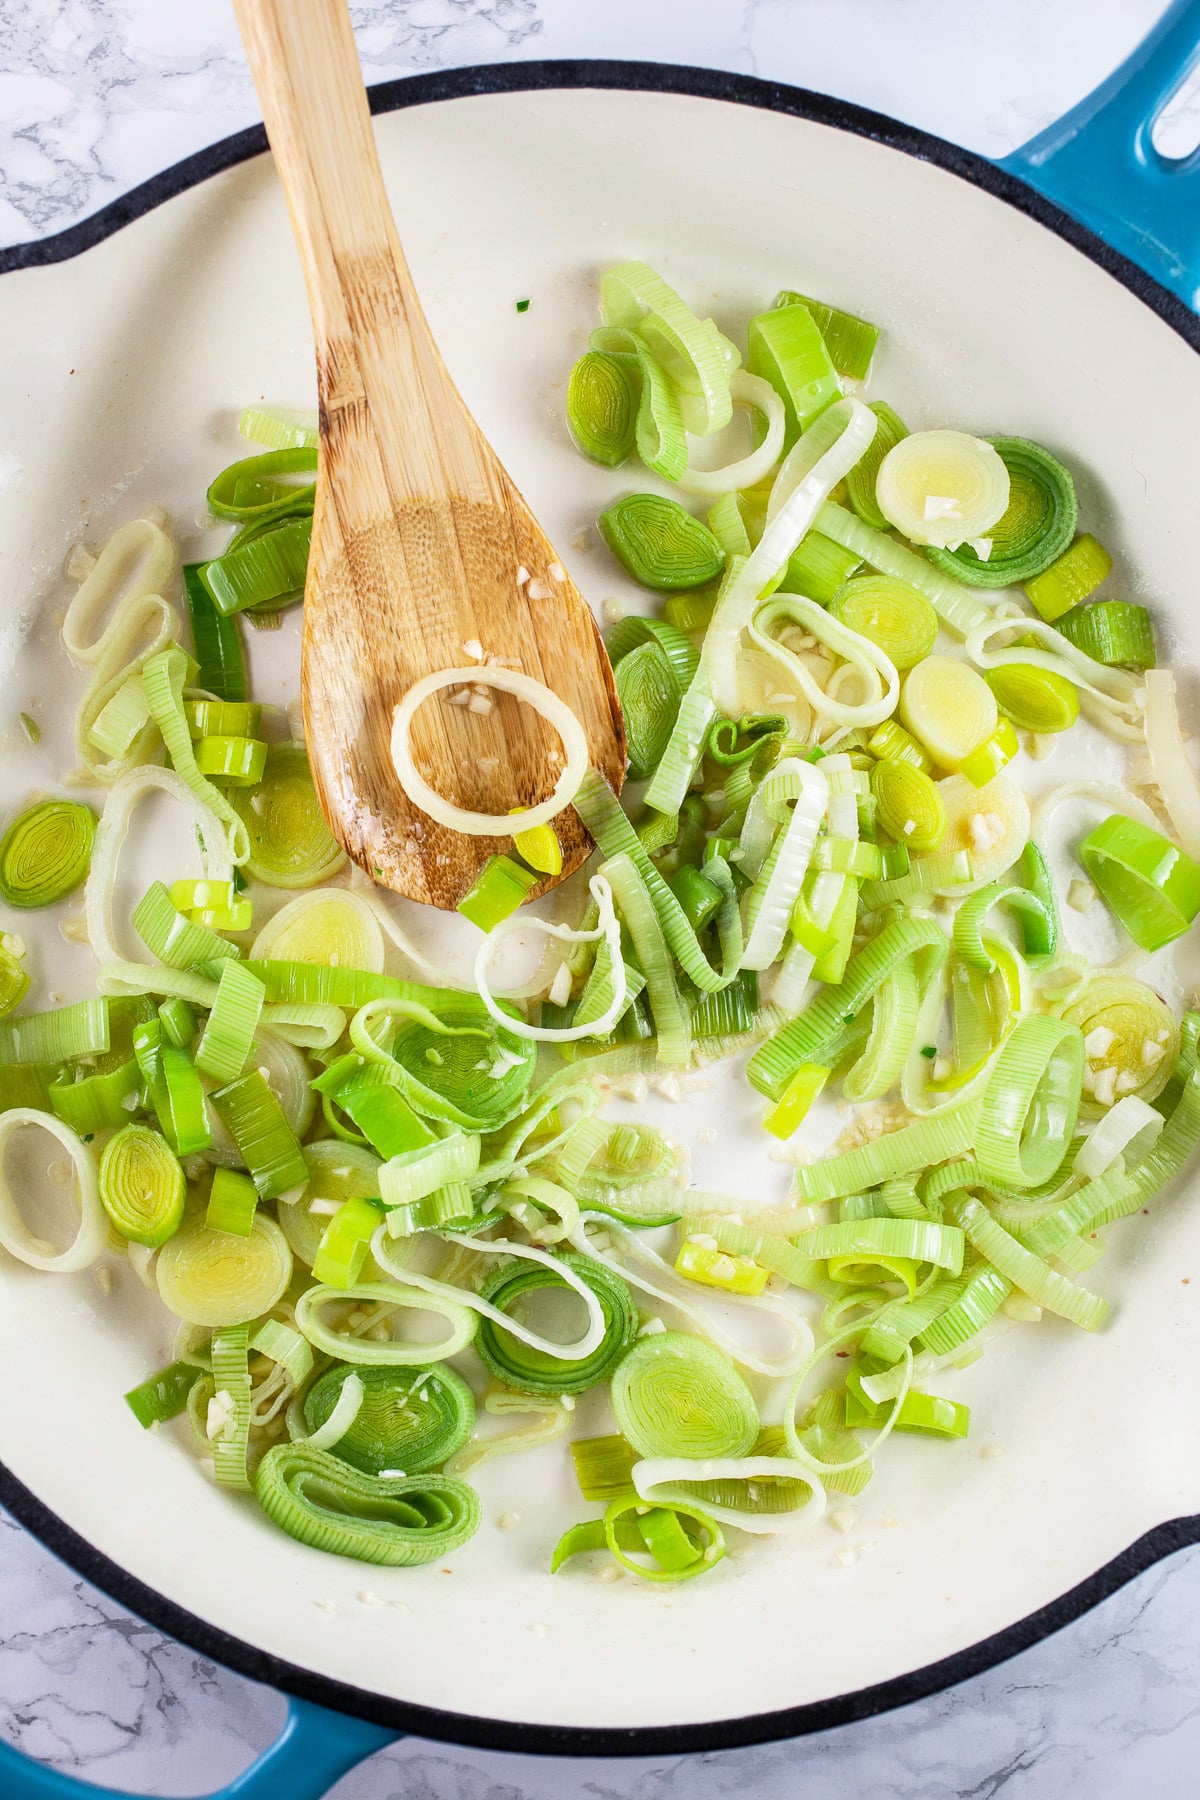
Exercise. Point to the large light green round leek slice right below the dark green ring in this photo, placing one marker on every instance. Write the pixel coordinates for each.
(676, 1396)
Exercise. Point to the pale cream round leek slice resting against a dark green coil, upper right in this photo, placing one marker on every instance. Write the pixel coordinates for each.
(942, 489)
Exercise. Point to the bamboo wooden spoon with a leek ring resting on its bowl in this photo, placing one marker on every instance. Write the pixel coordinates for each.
(422, 543)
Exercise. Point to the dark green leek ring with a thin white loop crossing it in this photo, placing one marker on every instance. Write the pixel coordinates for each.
(532, 1371)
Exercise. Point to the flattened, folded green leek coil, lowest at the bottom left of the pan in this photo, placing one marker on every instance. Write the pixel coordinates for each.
(399, 1522)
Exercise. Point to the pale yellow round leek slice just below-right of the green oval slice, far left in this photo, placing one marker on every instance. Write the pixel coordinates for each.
(222, 1279)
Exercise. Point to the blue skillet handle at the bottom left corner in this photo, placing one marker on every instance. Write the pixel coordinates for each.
(312, 1752)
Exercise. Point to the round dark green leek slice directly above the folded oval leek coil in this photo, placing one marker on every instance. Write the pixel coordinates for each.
(411, 1419)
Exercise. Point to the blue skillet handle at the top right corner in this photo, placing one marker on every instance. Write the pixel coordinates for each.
(1100, 165)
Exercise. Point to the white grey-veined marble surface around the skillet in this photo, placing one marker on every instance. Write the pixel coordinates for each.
(94, 98)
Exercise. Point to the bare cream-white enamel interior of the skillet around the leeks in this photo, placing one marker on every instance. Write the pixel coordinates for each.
(130, 366)
